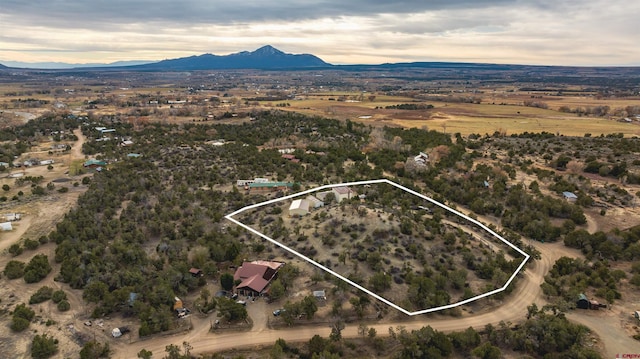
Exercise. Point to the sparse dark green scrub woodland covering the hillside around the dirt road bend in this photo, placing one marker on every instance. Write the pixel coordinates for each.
(145, 221)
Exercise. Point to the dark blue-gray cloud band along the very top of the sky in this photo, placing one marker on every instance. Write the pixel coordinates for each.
(84, 13)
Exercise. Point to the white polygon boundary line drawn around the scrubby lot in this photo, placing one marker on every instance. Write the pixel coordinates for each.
(356, 285)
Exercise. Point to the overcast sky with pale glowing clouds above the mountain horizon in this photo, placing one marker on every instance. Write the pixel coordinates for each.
(546, 32)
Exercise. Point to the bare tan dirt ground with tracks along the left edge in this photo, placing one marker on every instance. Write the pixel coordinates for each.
(40, 214)
